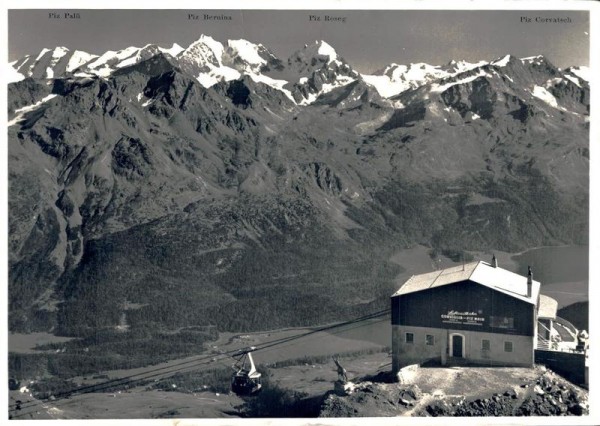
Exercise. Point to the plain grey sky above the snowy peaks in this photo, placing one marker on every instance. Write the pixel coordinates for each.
(368, 39)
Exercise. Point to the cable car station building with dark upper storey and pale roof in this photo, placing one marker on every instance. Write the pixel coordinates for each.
(475, 313)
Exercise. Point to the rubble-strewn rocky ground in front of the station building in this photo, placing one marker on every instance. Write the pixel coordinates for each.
(536, 392)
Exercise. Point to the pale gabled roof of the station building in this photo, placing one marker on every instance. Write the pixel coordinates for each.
(483, 273)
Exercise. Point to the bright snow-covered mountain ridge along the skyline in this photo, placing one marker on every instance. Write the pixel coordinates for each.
(310, 72)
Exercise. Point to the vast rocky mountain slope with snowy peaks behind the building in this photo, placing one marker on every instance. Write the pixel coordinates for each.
(219, 184)
